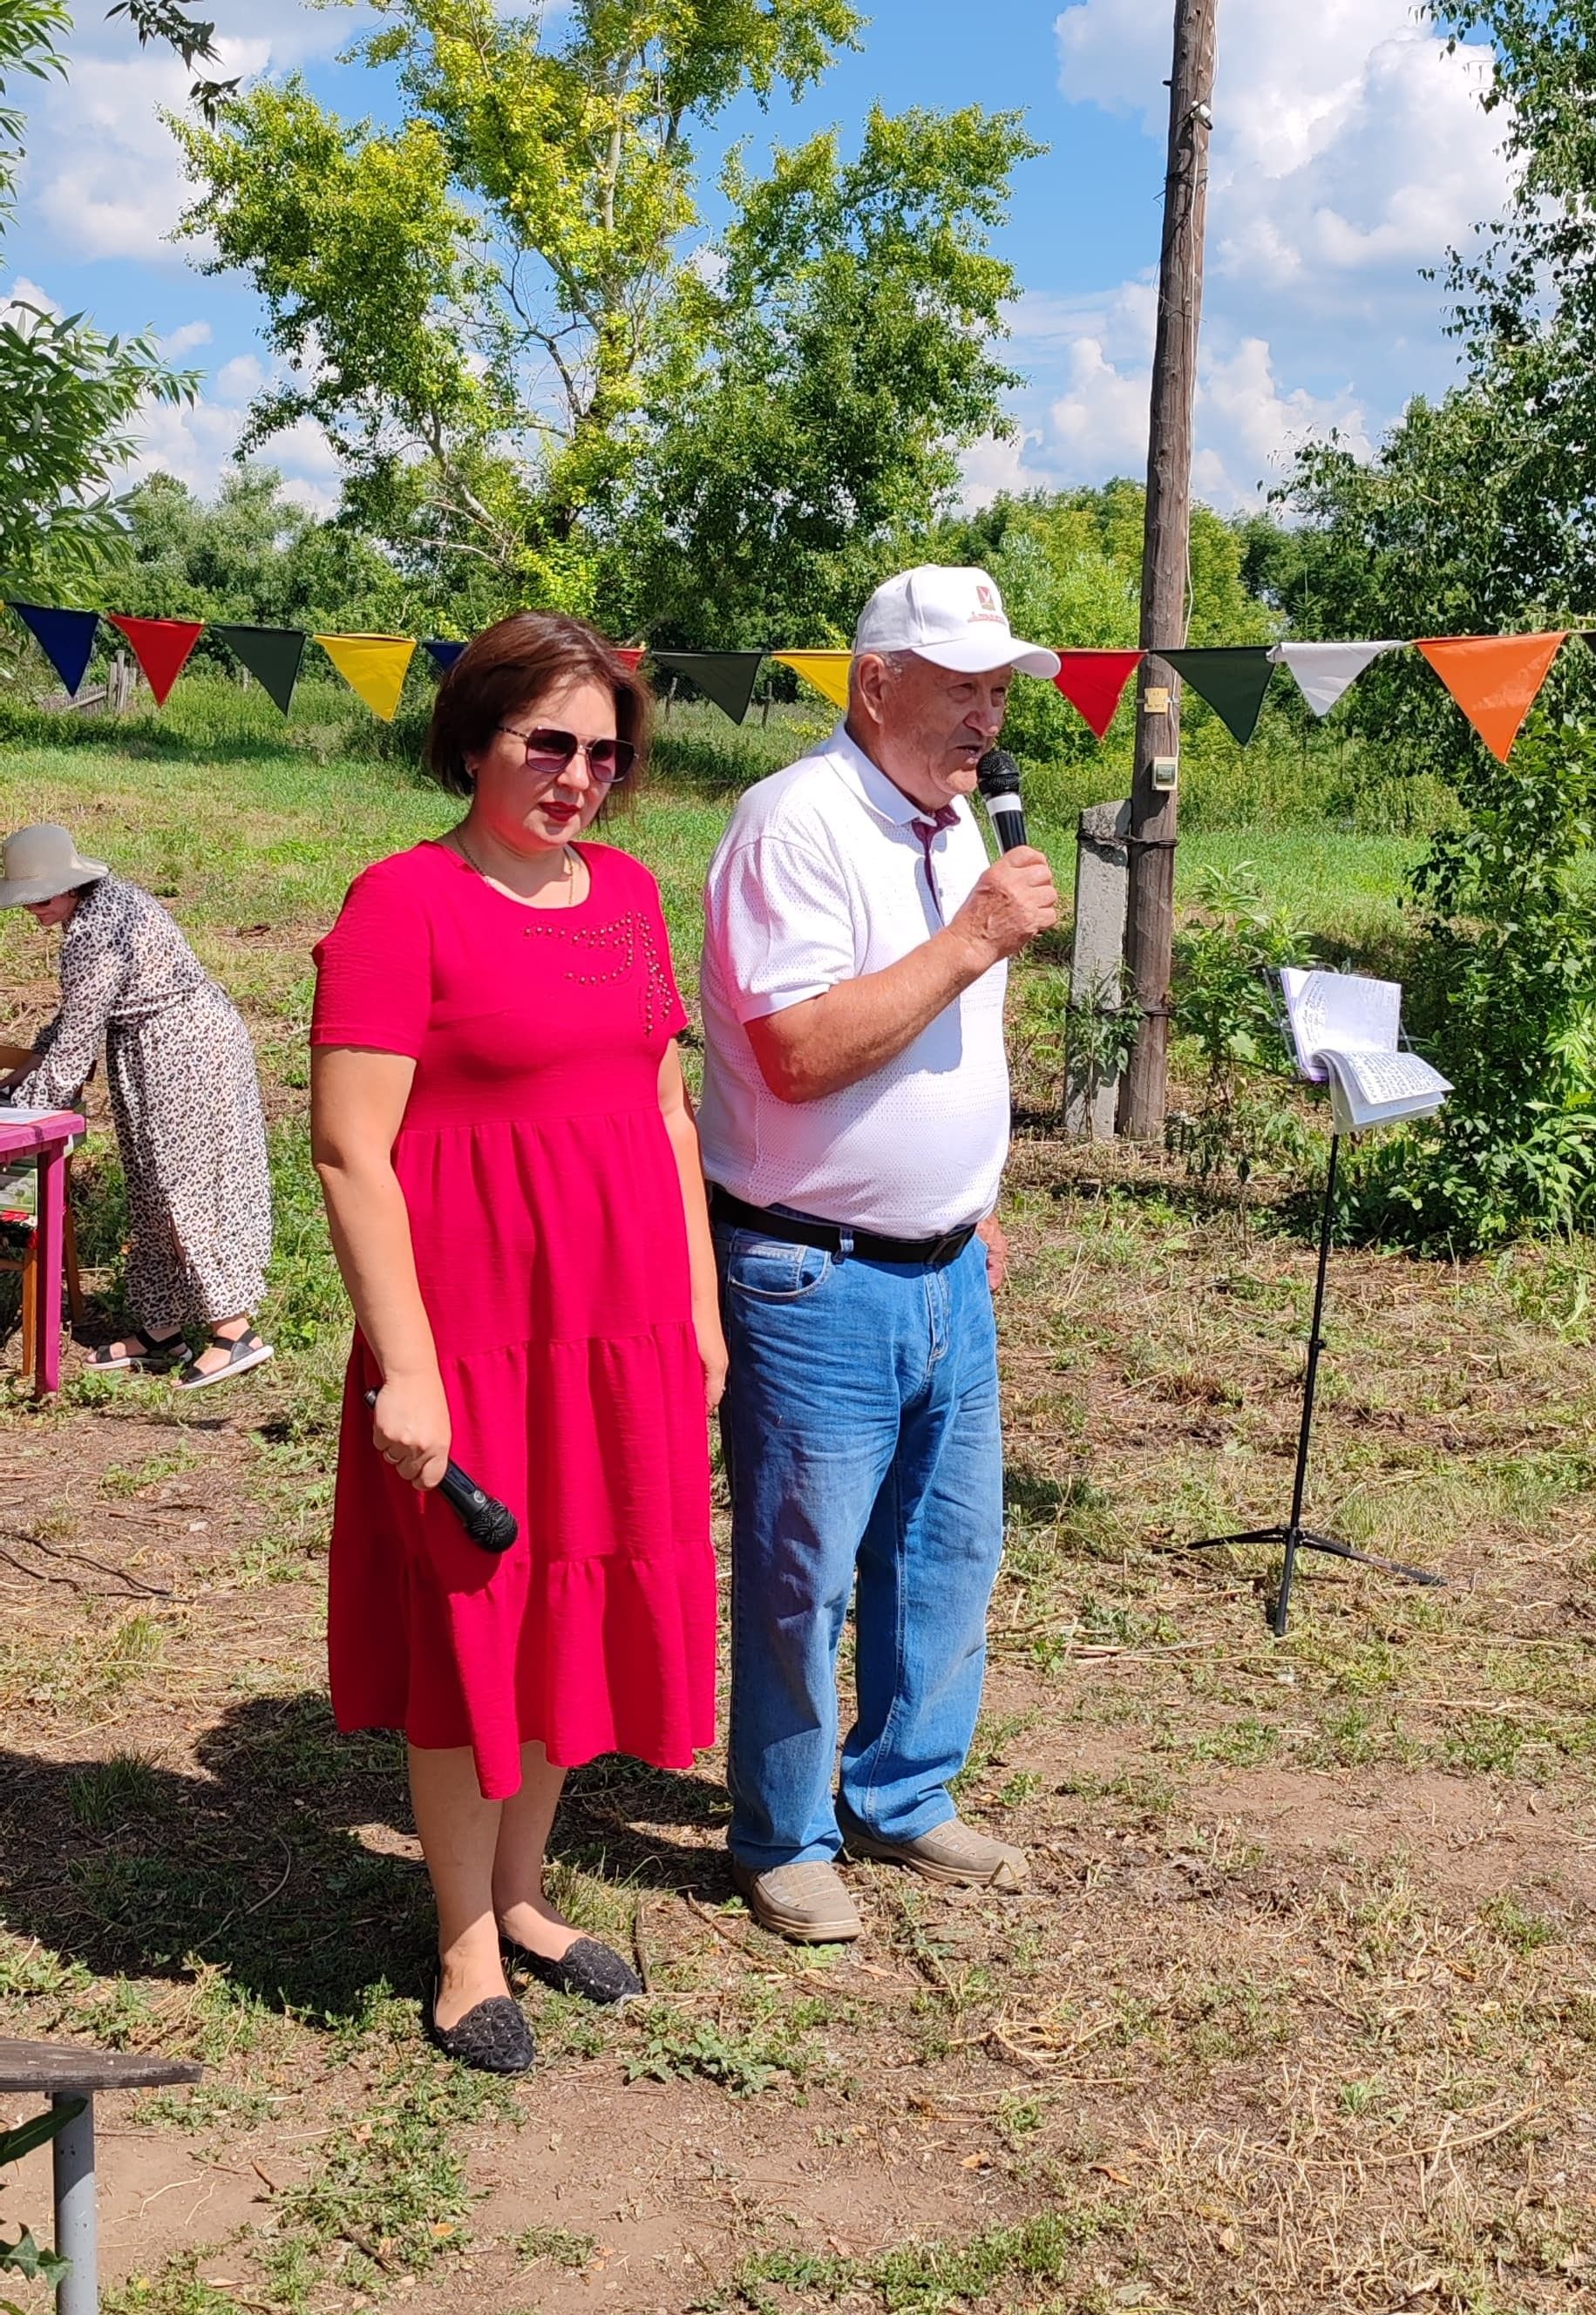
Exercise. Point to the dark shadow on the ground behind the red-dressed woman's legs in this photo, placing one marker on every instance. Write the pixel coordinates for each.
(270, 1860)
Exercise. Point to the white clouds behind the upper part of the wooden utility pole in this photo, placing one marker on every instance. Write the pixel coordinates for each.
(1349, 152)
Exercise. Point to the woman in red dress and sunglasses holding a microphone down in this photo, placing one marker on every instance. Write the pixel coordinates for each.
(513, 1186)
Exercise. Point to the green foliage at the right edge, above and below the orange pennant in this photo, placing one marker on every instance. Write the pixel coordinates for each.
(1474, 517)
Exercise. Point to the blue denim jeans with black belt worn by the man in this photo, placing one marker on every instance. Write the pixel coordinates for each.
(863, 1443)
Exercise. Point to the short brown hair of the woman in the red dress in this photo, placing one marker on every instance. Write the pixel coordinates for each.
(506, 670)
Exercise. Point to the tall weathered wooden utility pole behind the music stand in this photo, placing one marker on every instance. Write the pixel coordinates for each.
(1166, 564)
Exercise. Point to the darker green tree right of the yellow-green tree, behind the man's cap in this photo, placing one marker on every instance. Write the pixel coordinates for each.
(851, 353)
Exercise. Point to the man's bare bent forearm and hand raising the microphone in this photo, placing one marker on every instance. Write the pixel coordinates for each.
(858, 1027)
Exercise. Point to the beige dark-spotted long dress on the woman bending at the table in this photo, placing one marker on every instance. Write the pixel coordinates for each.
(184, 1101)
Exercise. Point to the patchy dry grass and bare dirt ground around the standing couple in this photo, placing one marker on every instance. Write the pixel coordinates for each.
(1301, 2008)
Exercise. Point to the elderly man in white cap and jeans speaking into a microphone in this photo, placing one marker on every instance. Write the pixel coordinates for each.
(856, 1129)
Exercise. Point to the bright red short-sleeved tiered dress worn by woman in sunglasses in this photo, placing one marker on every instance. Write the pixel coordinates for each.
(552, 1254)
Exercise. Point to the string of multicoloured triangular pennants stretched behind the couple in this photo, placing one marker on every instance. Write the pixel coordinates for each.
(1495, 679)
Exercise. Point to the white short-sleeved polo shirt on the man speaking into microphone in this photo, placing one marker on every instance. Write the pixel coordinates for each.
(819, 881)
